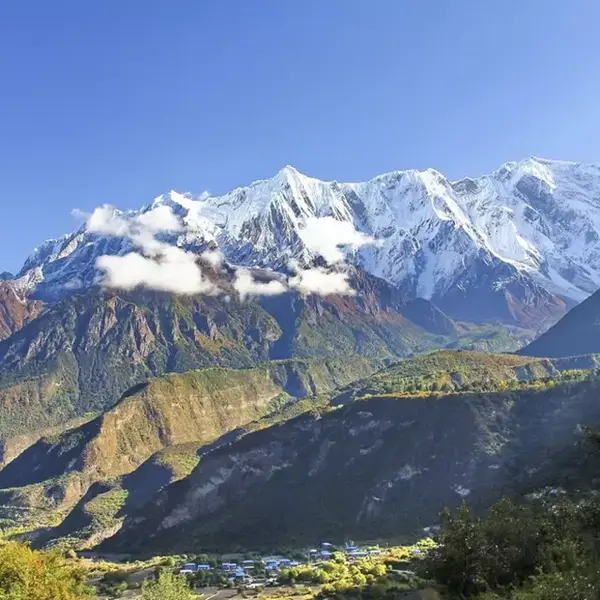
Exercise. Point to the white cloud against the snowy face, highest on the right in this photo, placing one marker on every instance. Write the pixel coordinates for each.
(325, 236)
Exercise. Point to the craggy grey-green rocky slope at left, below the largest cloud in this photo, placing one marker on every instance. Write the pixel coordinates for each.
(82, 354)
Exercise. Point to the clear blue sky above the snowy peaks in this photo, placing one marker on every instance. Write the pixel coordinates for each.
(120, 100)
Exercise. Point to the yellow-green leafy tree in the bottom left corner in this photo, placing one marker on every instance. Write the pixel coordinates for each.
(26, 574)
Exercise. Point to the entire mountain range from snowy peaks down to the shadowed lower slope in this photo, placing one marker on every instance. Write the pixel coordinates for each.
(160, 367)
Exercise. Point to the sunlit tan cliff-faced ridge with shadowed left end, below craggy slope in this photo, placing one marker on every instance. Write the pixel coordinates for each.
(193, 407)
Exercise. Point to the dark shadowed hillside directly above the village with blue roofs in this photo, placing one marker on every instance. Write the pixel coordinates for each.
(382, 467)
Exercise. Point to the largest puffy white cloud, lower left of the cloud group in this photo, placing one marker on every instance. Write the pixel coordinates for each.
(175, 271)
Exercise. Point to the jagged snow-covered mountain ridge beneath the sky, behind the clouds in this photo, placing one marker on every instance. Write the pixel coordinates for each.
(513, 245)
